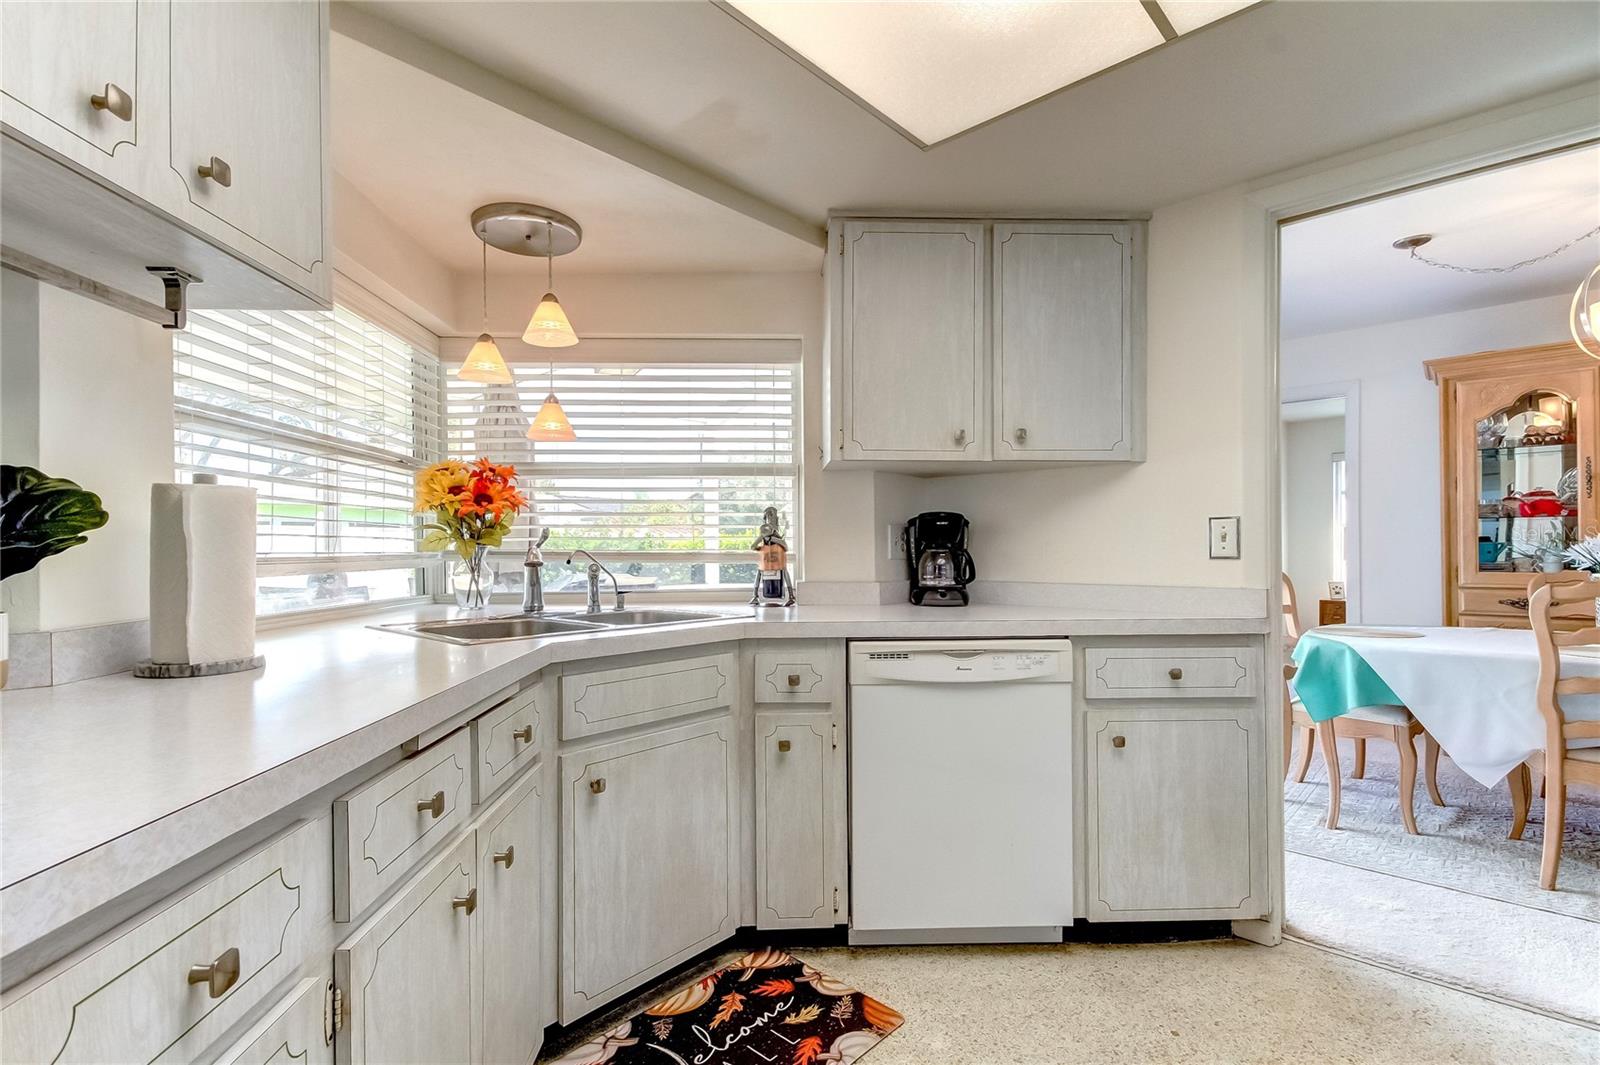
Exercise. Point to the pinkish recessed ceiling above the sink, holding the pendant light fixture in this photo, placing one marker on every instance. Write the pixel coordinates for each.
(428, 153)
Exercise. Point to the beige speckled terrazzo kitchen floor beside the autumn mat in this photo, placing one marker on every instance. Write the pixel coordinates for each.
(1210, 1002)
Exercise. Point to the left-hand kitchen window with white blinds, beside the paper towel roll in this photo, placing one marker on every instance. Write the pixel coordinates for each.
(327, 415)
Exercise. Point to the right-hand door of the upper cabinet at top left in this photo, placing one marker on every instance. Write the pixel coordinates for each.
(247, 90)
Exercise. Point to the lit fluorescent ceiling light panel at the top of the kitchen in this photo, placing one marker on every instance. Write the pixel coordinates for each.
(938, 68)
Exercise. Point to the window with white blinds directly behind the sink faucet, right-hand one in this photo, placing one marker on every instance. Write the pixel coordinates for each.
(681, 447)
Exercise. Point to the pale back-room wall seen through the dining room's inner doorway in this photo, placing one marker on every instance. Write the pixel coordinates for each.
(1308, 509)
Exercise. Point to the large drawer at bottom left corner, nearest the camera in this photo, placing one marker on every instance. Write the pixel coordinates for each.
(142, 997)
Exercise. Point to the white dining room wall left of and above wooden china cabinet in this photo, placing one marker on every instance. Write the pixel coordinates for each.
(1399, 536)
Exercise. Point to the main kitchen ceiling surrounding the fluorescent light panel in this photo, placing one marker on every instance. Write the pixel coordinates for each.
(1276, 87)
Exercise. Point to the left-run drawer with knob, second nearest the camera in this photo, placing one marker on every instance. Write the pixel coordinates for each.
(385, 828)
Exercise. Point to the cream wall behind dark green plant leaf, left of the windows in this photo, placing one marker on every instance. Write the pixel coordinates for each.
(103, 402)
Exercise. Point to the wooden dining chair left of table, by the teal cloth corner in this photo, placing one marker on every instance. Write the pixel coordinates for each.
(1359, 725)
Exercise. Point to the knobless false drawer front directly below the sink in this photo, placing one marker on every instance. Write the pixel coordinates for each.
(636, 695)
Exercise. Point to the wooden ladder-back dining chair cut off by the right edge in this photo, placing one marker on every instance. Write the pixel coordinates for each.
(1564, 760)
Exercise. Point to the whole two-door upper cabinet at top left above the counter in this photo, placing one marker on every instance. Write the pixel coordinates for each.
(150, 134)
